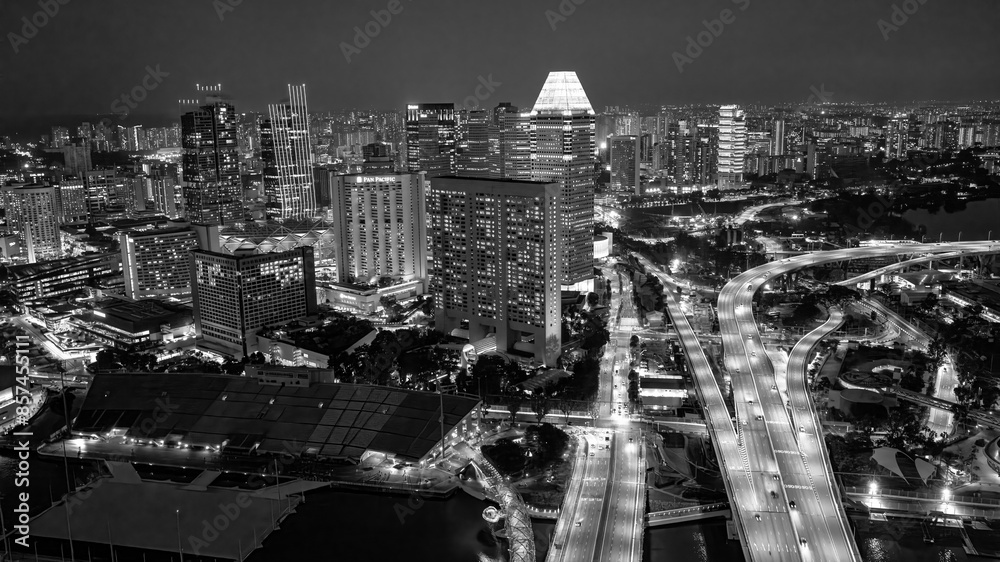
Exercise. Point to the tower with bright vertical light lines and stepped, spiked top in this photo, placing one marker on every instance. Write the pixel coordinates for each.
(286, 152)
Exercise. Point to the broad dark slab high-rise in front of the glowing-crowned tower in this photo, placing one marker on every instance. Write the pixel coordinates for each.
(497, 262)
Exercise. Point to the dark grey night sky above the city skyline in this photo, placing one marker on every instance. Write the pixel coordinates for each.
(91, 52)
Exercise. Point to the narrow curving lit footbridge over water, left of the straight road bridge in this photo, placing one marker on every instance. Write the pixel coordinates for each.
(517, 521)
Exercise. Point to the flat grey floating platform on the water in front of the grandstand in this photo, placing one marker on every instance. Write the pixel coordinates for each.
(155, 516)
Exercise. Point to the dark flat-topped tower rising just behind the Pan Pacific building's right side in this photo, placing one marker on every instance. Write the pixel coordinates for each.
(430, 138)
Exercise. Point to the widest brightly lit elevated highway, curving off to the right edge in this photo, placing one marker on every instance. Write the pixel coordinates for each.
(817, 517)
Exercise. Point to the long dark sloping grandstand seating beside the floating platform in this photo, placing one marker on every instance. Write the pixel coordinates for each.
(336, 421)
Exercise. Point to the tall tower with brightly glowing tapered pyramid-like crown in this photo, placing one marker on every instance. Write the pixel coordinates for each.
(562, 151)
